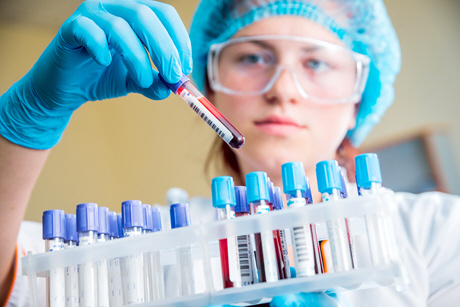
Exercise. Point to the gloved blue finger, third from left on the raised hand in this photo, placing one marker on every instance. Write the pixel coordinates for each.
(153, 34)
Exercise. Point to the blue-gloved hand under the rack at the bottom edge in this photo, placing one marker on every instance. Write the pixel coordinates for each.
(311, 299)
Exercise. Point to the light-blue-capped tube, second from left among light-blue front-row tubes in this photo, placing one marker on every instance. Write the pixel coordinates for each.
(258, 198)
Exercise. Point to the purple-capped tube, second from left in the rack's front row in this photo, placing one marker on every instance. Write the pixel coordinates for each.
(87, 228)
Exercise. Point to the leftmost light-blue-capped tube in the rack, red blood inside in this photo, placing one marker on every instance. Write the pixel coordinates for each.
(223, 200)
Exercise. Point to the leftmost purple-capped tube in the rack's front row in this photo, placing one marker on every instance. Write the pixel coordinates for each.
(53, 222)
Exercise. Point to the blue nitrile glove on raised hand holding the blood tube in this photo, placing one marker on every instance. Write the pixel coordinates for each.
(97, 54)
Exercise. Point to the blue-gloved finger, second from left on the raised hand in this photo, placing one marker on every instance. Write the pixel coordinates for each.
(122, 38)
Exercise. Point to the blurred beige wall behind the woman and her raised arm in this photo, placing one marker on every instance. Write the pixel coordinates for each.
(134, 148)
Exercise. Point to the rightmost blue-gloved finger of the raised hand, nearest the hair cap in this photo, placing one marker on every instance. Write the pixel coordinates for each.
(172, 22)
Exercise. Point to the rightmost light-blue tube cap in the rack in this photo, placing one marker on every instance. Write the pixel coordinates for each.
(367, 170)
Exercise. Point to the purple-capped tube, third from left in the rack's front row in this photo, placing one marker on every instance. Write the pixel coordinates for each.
(132, 266)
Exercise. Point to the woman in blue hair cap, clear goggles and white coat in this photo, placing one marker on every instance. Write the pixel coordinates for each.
(289, 75)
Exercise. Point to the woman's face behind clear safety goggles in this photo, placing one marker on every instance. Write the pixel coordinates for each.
(281, 126)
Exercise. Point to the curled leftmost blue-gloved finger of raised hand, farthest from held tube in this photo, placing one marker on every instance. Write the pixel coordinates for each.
(83, 32)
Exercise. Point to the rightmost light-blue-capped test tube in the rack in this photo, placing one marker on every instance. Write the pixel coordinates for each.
(369, 181)
